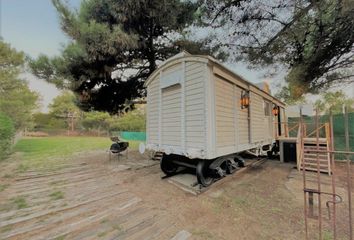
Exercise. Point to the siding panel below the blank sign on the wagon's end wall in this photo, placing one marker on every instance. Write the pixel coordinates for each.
(171, 116)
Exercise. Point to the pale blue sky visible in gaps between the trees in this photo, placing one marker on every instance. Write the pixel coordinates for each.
(33, 26)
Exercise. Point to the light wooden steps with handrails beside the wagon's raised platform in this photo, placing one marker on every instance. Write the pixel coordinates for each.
(309, 152)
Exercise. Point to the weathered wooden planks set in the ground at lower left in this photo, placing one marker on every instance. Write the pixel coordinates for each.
(80, 201)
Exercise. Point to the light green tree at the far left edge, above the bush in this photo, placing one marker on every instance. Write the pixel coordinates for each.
(16, 100)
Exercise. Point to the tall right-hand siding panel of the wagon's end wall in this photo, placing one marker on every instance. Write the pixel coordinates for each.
(195, 105)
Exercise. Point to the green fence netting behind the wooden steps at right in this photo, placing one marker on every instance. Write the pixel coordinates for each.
(338, 130)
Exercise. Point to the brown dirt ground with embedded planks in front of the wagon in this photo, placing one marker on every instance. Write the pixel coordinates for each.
(91, 197)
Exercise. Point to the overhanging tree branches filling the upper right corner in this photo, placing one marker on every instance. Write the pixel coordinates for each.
(313, 39)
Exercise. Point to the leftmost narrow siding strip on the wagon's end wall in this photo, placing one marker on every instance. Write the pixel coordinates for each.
(153, 111)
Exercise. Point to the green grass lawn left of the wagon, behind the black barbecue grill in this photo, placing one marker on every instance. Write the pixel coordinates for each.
(51, 151)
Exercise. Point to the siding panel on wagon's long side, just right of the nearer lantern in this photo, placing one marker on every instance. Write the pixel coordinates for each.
(257, 118)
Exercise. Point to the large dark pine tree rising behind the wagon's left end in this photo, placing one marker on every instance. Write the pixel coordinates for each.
(116, 45)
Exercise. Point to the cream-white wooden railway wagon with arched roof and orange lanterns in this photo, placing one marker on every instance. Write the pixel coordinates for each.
(199, 110)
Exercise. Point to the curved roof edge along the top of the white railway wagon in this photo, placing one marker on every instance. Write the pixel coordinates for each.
(206, 59)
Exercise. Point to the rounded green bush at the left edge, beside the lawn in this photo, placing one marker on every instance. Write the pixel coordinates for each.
(7, 133)
